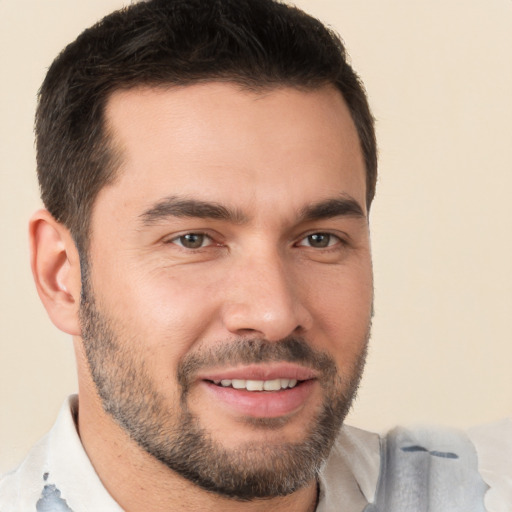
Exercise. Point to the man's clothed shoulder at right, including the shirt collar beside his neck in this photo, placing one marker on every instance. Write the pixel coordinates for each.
(407, 468)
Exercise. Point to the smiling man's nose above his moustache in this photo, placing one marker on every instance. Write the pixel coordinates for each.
(263, 299)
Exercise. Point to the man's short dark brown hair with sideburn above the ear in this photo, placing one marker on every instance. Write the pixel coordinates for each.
(256, 43)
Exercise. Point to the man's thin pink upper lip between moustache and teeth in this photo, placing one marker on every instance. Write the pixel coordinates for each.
(268, 371)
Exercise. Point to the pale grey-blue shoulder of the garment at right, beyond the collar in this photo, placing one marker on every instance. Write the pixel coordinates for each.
(465, 470)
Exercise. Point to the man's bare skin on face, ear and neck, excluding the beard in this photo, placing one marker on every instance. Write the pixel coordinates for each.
(267, 156)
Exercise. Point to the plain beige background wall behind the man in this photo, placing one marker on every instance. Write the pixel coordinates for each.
(439, 77)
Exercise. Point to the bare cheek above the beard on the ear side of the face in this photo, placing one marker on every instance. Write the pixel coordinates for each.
(166, 314)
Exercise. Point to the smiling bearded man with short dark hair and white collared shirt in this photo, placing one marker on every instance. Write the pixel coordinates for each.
(207, 169)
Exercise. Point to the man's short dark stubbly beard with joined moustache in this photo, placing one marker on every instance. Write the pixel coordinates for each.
(176, 437)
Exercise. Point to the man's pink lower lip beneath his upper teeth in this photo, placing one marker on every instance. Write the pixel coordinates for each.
(262, 404)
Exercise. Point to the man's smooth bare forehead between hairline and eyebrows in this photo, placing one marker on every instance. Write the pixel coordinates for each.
(225, 144)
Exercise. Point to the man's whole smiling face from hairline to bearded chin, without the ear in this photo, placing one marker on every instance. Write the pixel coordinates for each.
(227, 307)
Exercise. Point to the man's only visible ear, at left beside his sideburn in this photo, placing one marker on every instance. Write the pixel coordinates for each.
(56, 269)
